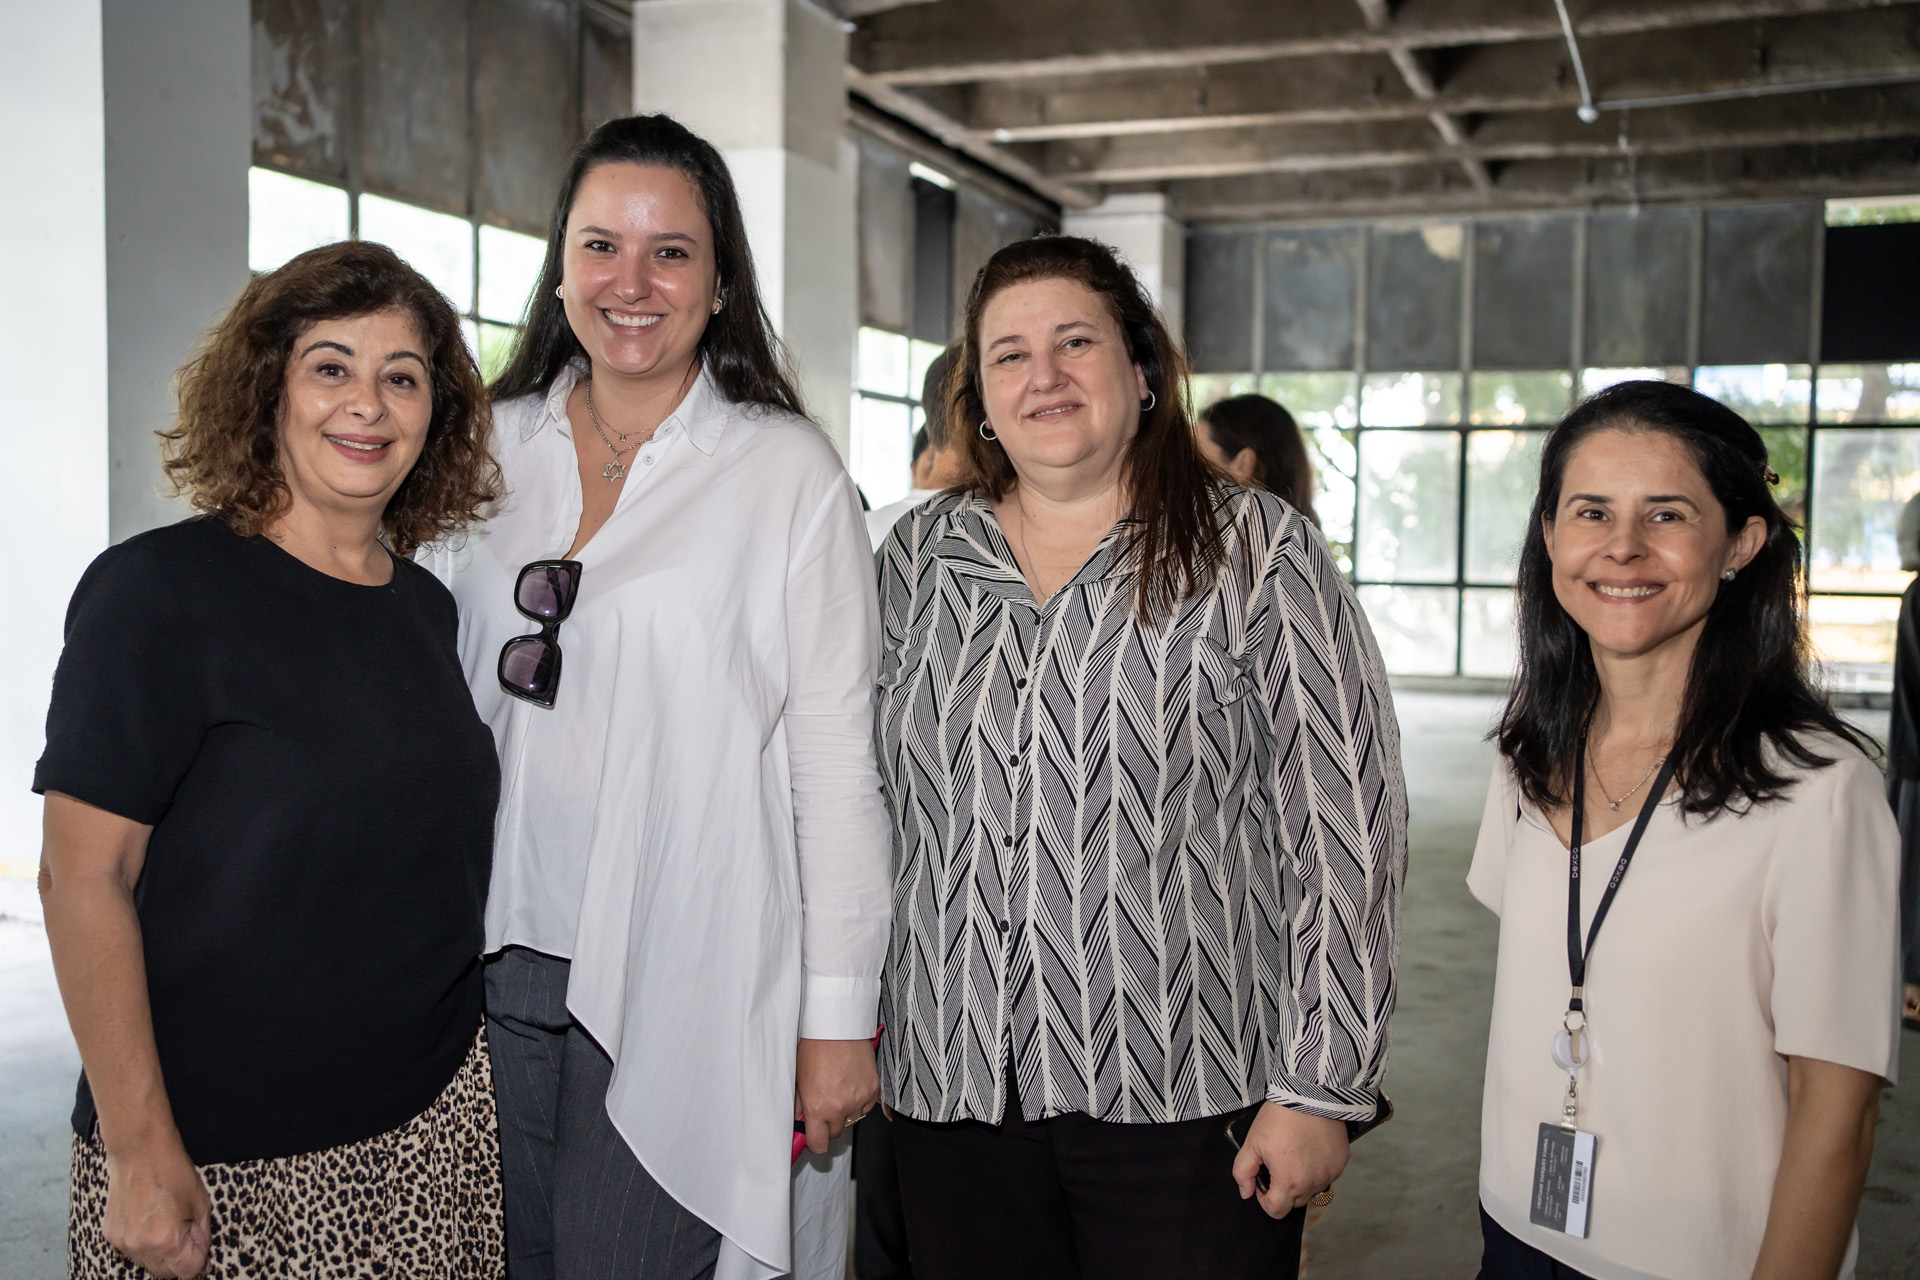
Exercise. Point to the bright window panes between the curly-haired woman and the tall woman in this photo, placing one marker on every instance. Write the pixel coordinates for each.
(489, 273)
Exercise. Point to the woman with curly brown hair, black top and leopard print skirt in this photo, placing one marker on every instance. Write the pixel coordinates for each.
(270, 813)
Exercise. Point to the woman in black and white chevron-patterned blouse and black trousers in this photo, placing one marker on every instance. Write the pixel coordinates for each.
(1149, 818)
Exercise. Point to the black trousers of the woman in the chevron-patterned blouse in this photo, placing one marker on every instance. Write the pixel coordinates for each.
(1072, 1197)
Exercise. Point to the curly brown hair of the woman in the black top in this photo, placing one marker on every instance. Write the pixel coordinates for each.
(224, 448)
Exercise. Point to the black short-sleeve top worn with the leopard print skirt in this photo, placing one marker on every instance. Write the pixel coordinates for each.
(322, 795)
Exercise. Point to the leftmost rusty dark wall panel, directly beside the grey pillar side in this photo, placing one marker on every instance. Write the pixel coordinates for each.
(302, 68)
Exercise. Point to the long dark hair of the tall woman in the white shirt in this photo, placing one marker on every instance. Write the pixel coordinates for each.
(738, 348)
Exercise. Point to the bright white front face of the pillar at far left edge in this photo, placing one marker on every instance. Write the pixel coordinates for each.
(55, 366)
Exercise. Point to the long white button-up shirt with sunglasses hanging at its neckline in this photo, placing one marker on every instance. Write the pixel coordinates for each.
(698, 822)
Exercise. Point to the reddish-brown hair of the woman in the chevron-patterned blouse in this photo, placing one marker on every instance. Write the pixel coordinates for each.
(1176, 542)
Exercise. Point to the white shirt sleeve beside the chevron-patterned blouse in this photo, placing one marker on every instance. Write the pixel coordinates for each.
(840, 818)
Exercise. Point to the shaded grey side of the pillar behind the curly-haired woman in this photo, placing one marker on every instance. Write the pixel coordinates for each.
(180, 126)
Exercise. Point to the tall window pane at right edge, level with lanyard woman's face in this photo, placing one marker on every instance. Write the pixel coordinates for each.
(1861, 479)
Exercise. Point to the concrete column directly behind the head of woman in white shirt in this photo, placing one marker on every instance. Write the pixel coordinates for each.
(767, 83)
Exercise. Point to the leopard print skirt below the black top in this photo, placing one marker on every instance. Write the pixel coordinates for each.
(416, 1202)
